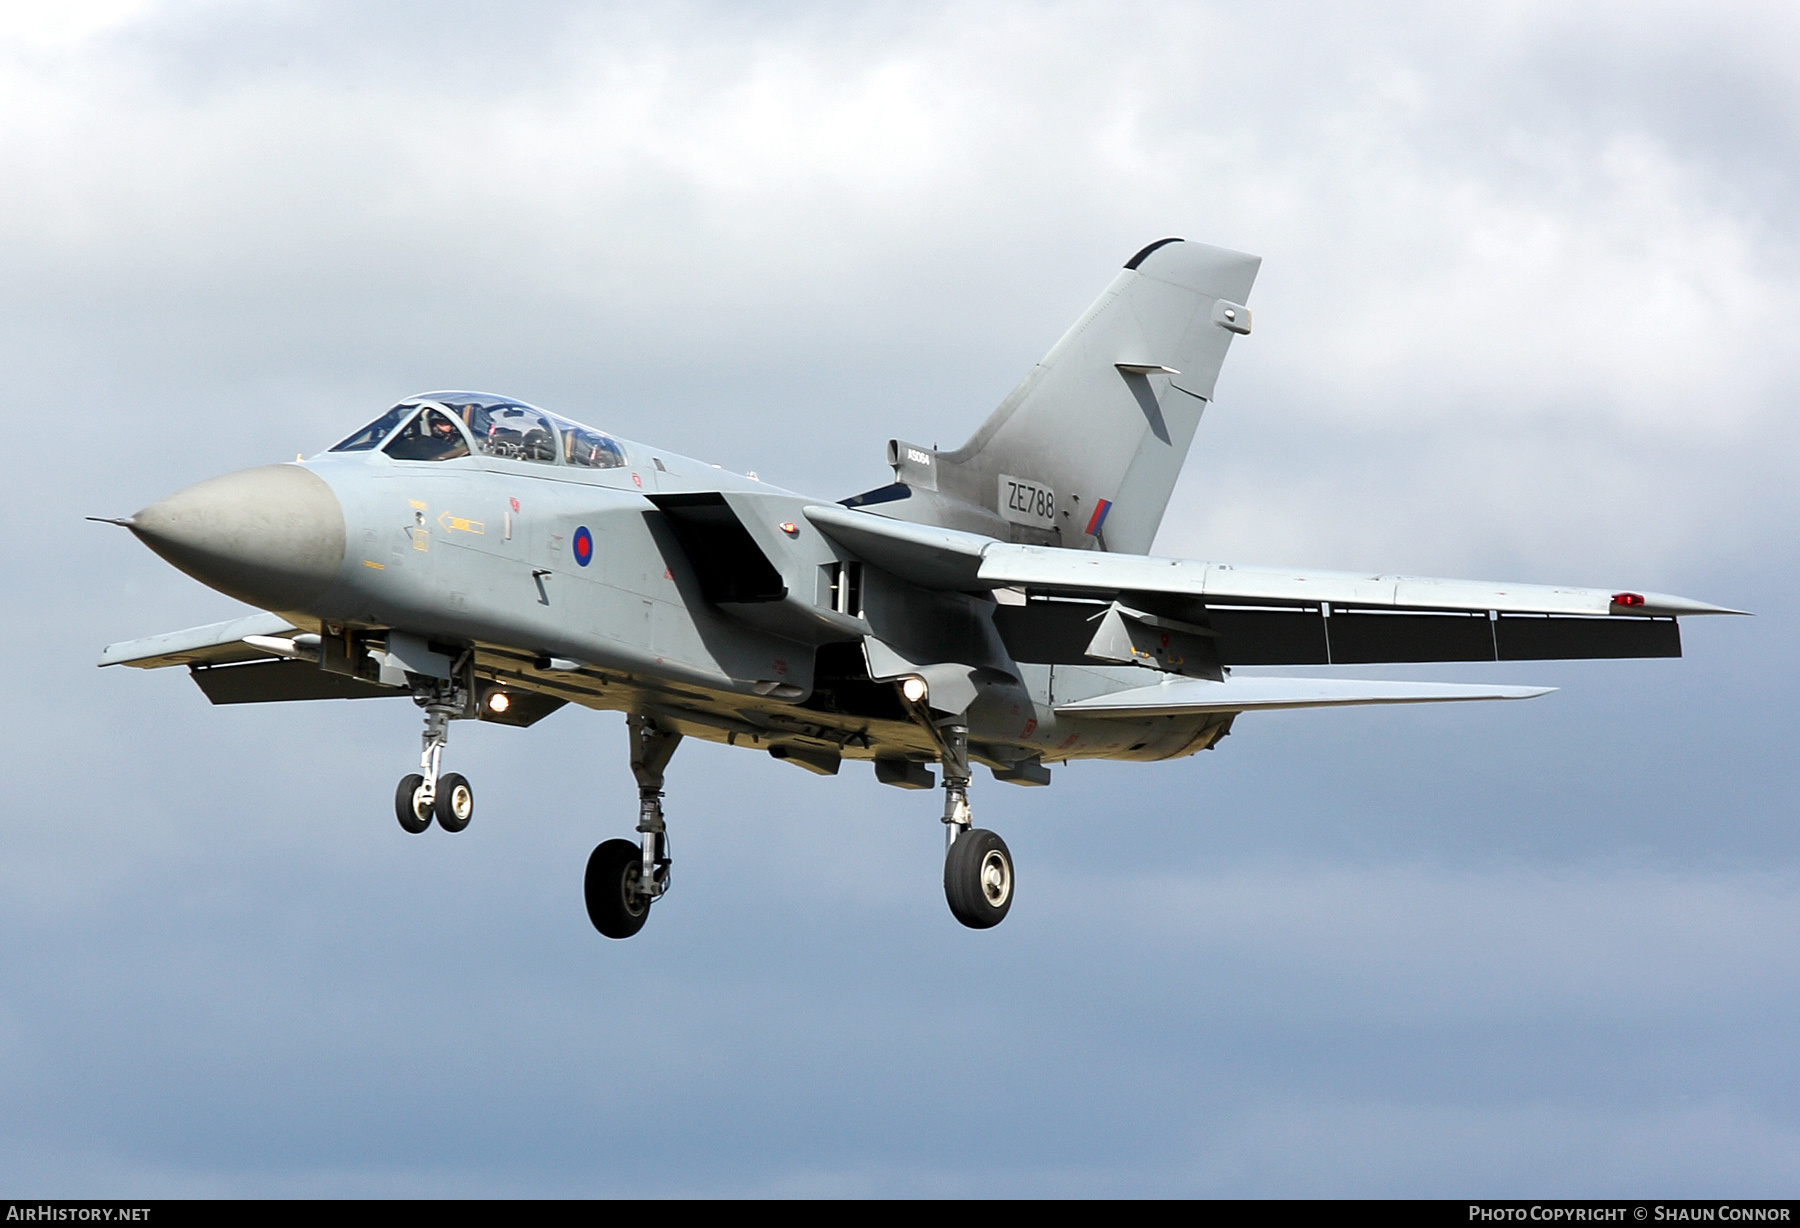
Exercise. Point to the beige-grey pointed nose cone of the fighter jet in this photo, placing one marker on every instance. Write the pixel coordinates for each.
(273, 536)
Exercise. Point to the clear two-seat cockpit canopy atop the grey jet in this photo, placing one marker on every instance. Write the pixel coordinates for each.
(449, 426)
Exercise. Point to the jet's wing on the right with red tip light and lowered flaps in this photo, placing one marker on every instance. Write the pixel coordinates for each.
(1264, 615)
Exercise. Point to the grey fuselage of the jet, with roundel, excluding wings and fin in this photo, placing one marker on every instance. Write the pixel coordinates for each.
(568, 581)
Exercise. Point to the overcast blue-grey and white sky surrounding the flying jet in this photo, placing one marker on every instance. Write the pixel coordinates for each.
(1529, 311)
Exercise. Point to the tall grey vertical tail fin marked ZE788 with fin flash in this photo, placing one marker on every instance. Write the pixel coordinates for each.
(1088, 449)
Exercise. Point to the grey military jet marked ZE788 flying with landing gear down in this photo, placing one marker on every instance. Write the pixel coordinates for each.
(993, 606)
